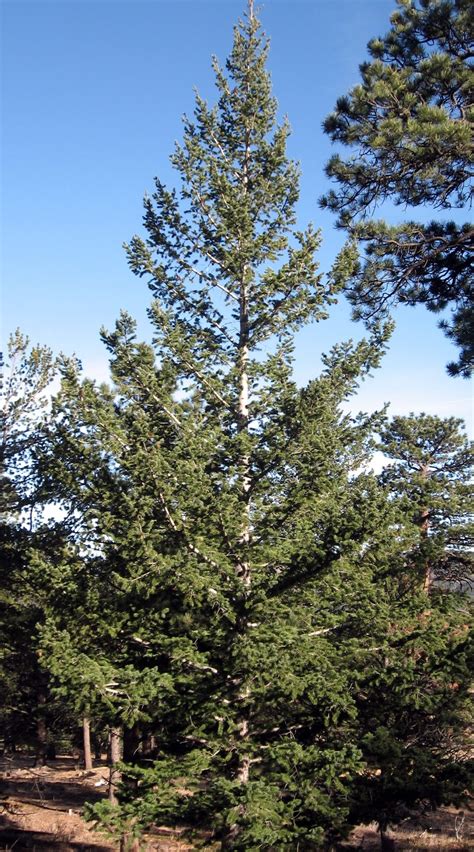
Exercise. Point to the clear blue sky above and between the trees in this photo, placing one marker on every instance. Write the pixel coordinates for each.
(93, 94)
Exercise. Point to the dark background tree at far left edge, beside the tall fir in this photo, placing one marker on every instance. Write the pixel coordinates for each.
(26, 375)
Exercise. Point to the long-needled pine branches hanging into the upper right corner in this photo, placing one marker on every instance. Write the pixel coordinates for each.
(409, 127)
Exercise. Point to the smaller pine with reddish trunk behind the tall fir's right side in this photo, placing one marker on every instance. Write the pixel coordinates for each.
(415, 707)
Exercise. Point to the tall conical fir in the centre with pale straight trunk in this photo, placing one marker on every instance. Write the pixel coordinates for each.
(228, 580)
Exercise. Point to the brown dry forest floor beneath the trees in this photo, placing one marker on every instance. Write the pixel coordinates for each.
(40, 810)
